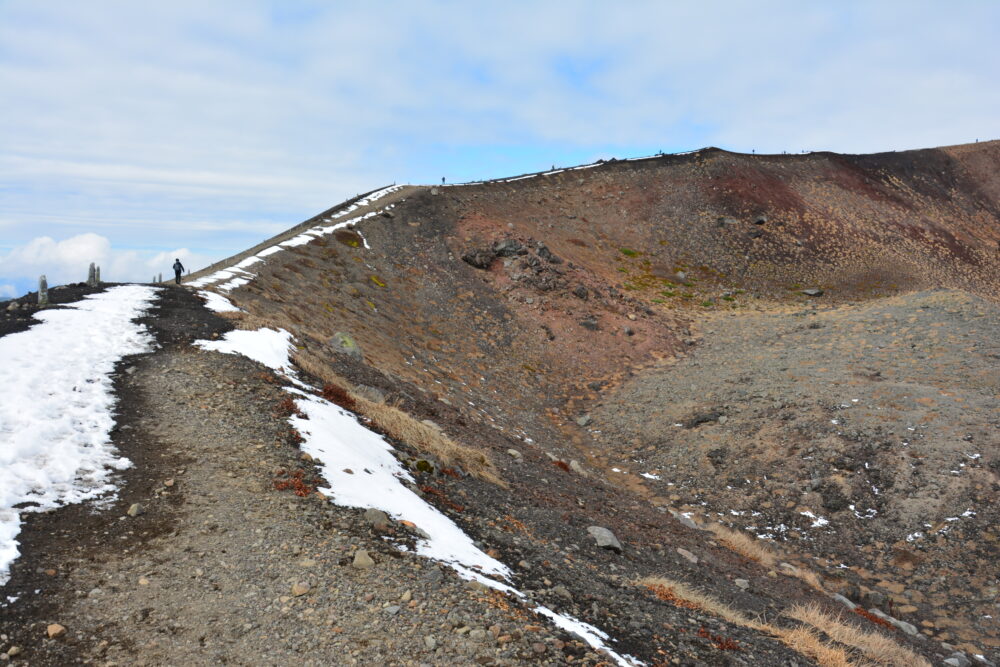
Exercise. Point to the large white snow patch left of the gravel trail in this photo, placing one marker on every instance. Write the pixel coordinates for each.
(56, 405)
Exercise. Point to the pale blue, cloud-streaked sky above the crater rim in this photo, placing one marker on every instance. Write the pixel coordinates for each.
(135, 133)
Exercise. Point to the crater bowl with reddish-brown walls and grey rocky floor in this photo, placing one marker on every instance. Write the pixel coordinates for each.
(835, 313)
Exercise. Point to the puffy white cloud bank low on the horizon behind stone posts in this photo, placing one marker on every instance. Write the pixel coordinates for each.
(68, 261)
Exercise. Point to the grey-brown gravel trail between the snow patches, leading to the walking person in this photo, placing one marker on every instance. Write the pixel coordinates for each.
(212, 568)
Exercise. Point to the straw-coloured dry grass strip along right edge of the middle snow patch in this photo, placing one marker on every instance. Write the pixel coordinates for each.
(399, 425)
